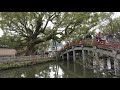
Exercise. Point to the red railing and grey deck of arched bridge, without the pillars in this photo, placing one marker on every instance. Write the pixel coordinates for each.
(108, 48)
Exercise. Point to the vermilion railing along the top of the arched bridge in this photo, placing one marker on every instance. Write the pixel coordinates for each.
(91, 42)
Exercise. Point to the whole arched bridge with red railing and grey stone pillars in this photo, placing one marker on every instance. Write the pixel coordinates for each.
(98, 48)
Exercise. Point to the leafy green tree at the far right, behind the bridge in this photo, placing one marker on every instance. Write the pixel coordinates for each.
(112, 28)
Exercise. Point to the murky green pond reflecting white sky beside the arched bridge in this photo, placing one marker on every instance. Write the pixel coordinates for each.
(62, 69)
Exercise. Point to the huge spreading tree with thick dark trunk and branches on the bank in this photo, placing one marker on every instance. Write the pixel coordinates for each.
(32, 28)
